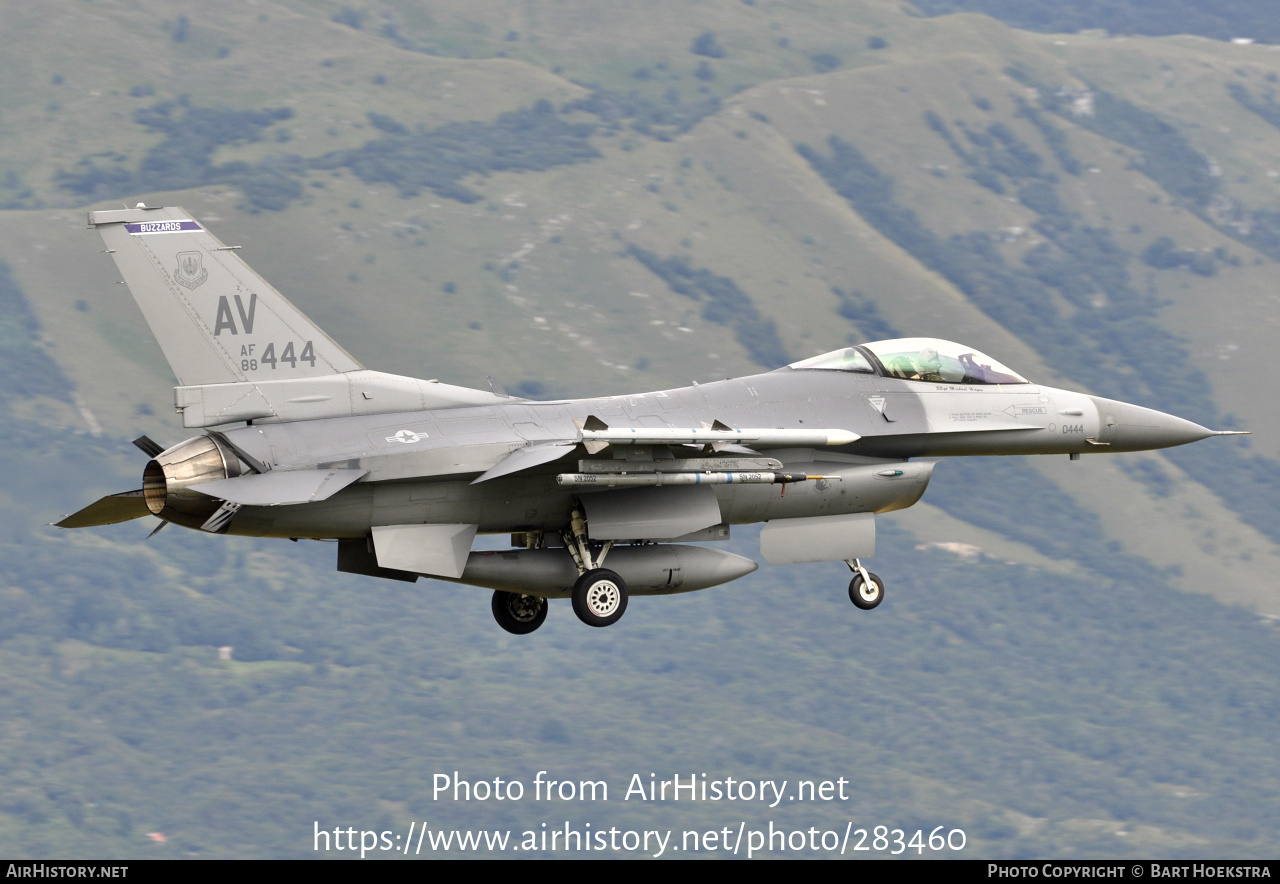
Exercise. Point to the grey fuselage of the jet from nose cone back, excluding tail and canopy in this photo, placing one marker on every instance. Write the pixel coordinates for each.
(422, 464)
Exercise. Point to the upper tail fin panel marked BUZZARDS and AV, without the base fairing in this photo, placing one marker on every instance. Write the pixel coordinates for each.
(216, 319)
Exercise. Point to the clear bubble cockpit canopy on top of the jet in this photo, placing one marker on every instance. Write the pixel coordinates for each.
(916, 360)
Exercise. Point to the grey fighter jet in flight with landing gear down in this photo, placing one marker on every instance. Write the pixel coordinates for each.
(602, 498)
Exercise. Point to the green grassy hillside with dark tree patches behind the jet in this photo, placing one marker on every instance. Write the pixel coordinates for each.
(580, 204)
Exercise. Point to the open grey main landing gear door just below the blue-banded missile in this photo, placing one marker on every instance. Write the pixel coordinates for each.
(651, 514)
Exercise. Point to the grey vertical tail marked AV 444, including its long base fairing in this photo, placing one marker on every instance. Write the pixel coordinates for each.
(240, 350)
